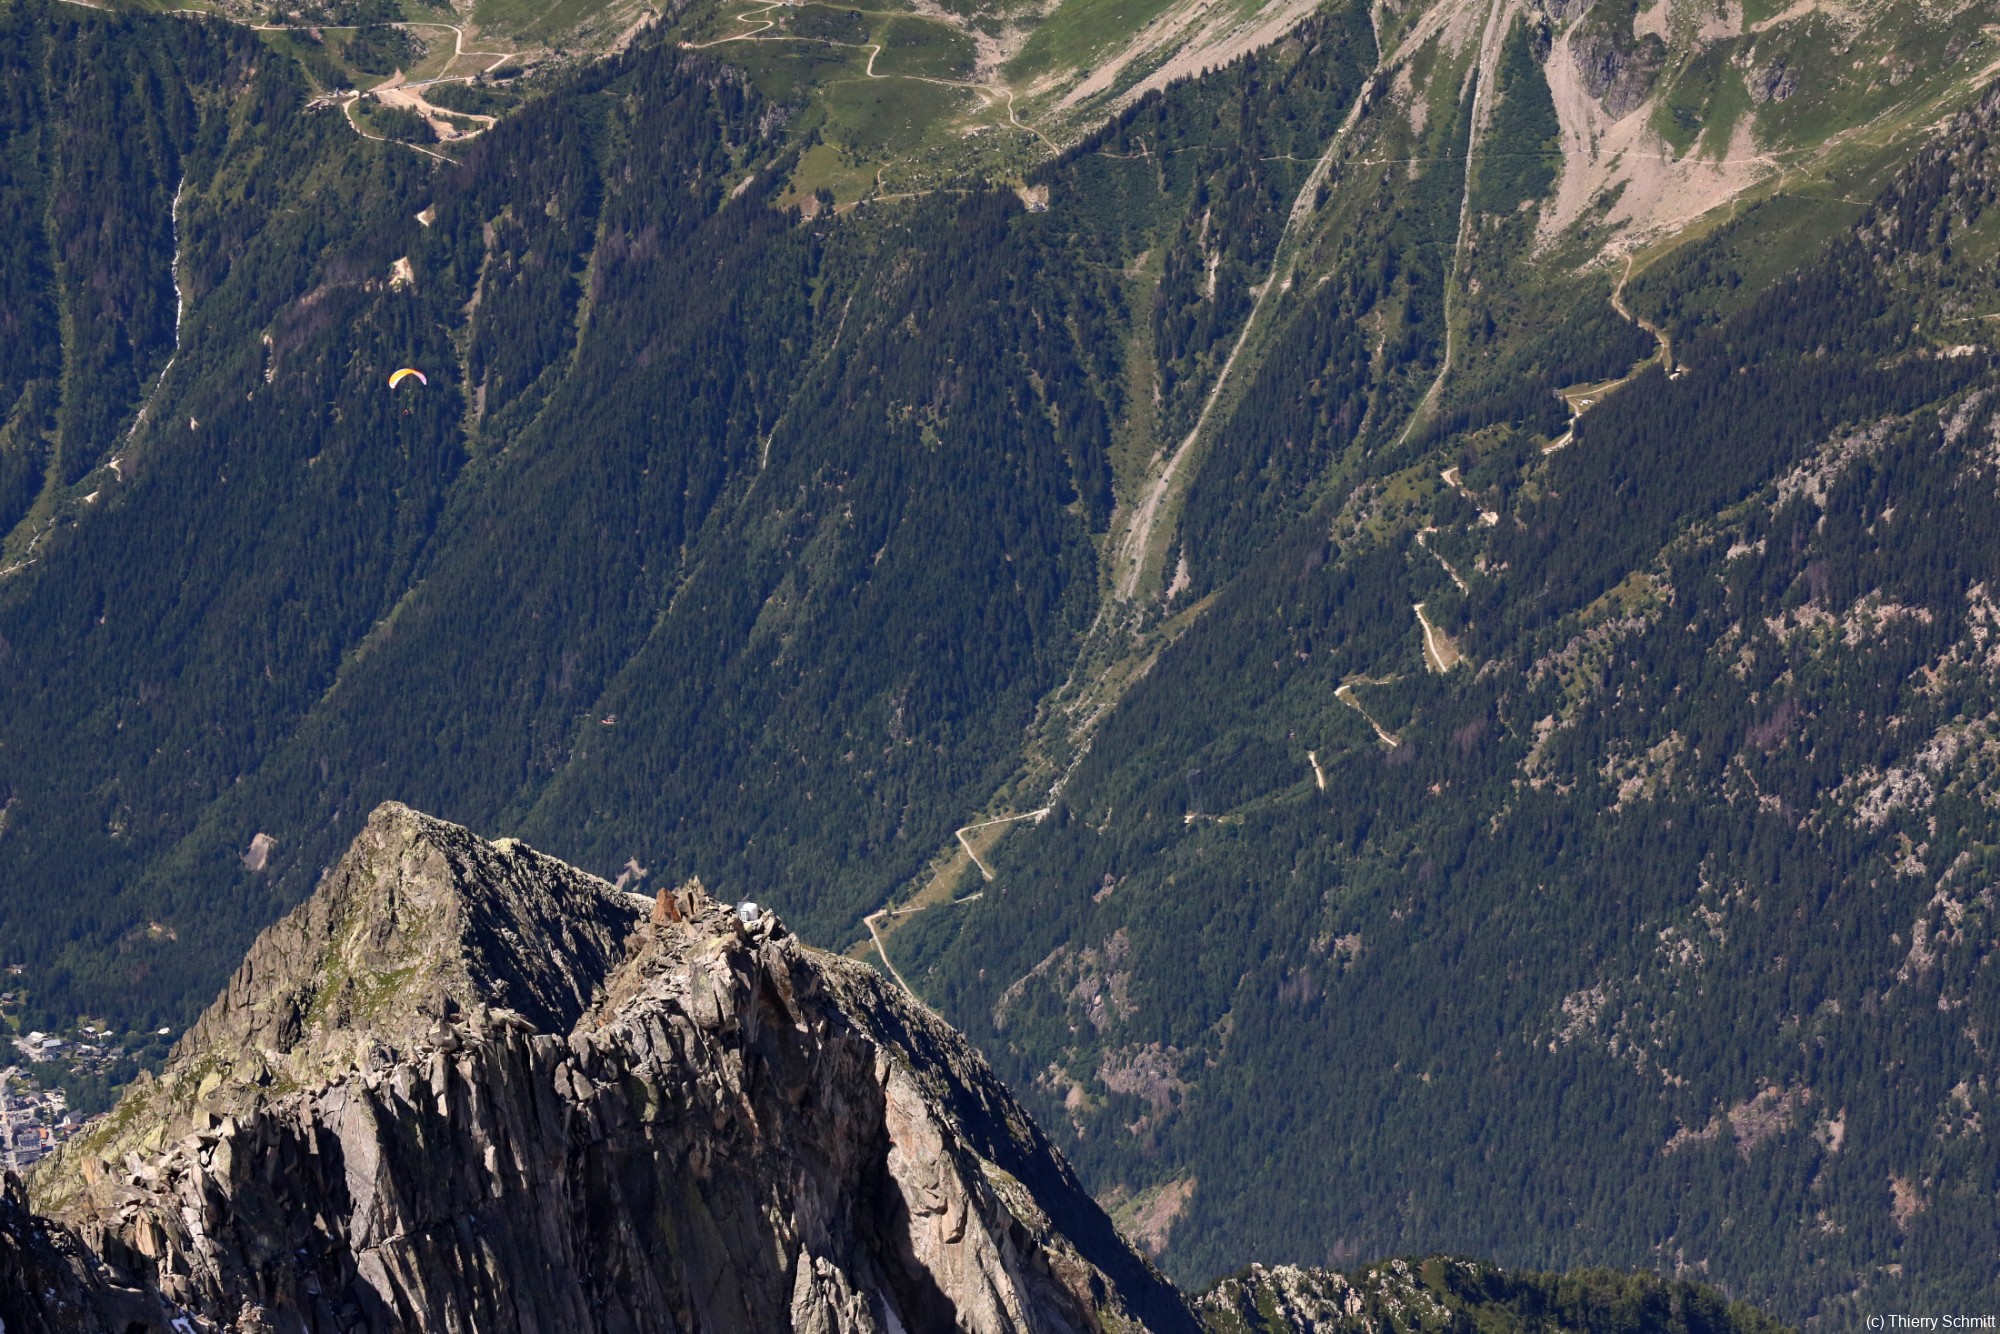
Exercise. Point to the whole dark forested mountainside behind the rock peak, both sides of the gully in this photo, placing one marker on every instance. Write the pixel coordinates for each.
(1577, 859)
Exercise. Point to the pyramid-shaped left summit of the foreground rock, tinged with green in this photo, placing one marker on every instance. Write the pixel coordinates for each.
(419, 933)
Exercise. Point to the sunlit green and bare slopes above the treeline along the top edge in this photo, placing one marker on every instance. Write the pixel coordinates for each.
(1667, 109)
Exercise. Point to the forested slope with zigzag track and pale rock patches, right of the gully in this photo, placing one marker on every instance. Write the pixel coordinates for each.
(1661, 931)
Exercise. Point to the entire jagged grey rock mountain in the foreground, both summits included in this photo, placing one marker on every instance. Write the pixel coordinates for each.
(471, 1089)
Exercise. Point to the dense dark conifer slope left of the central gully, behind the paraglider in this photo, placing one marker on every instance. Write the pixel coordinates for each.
(717, 541)
